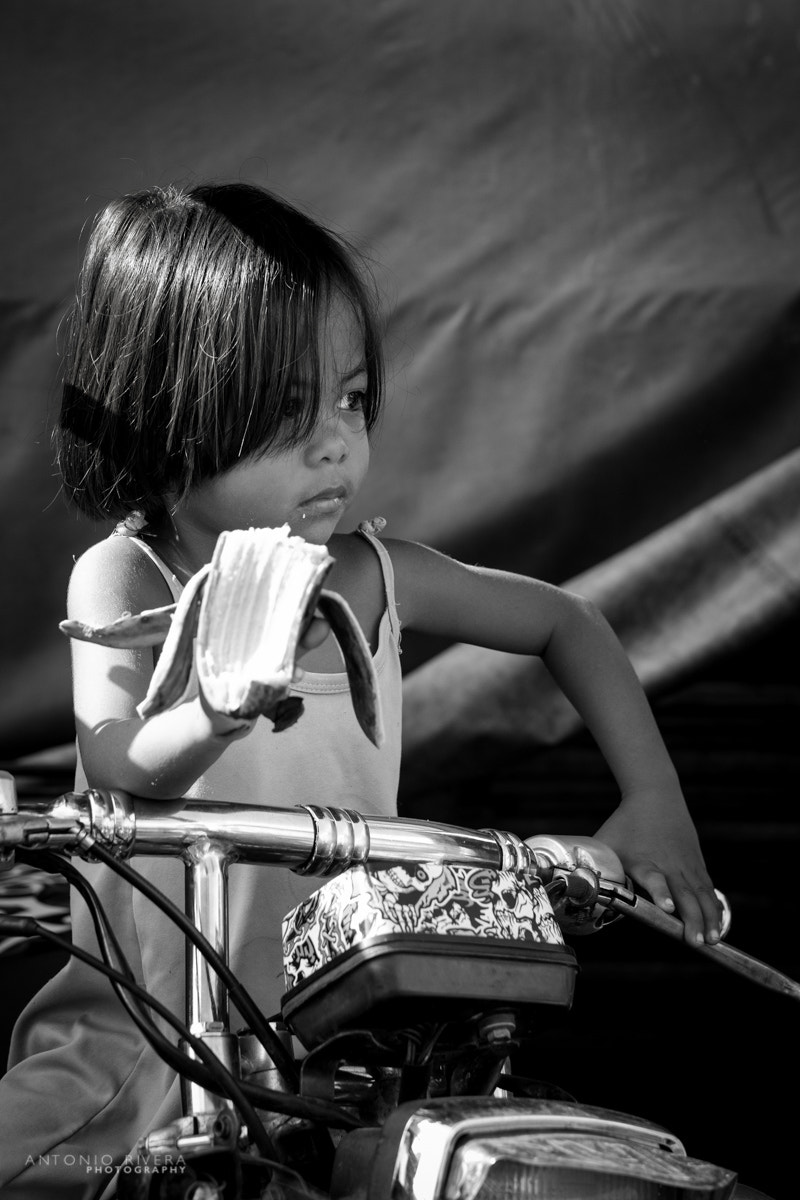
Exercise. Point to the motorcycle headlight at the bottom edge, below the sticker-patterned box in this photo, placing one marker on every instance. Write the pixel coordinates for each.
(488, 1149)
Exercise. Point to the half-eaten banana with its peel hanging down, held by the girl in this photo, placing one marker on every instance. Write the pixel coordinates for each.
(239, 622)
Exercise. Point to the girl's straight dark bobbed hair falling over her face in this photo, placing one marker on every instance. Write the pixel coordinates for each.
(196, 314)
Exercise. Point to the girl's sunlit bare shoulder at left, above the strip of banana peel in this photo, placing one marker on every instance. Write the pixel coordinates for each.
(115, 577)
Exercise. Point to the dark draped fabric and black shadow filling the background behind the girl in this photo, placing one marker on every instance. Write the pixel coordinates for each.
(586, 220)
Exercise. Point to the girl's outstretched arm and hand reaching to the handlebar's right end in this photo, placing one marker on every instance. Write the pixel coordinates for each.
(652, 830)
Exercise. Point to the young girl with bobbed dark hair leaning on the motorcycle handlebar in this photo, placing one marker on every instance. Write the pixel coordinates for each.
(225, 371)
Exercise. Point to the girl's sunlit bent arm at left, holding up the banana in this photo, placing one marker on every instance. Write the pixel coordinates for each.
(163, 757)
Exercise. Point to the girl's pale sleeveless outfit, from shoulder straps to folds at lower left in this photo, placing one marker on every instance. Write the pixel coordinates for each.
(76, 1031)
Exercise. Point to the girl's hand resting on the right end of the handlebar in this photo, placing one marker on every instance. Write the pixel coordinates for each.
(655, 839)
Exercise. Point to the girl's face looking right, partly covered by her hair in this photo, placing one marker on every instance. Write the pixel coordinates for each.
(311, 487)
